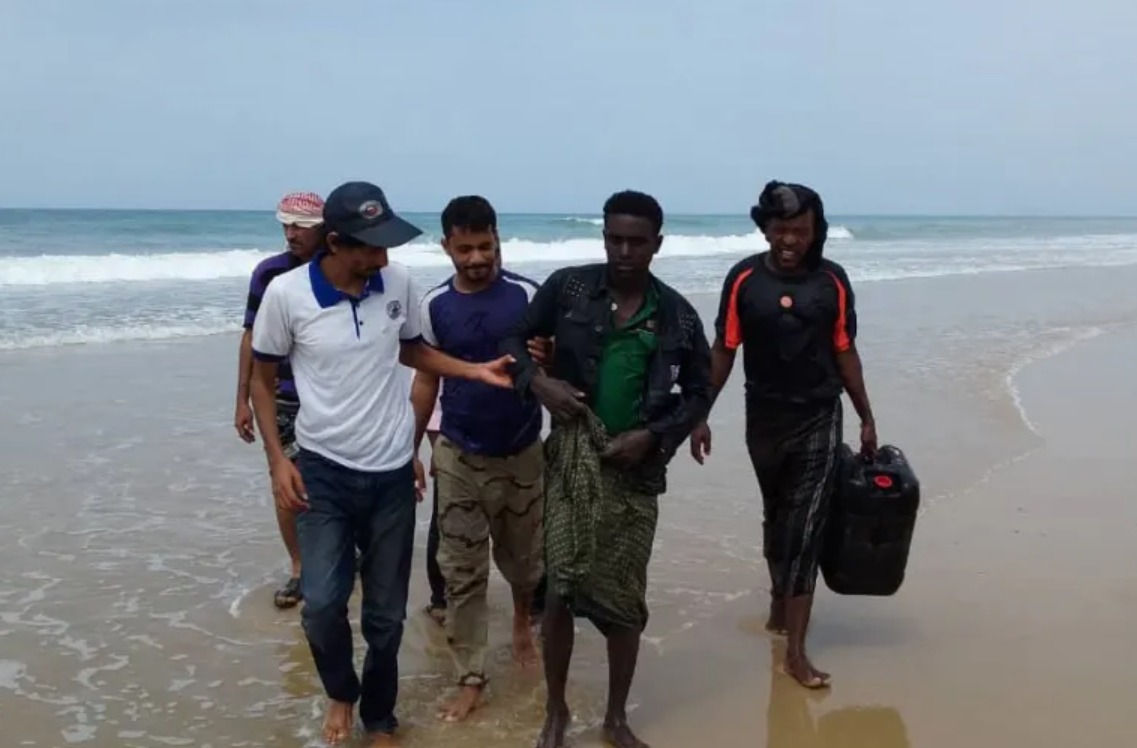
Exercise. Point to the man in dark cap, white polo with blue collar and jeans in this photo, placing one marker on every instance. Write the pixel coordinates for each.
(345, 322)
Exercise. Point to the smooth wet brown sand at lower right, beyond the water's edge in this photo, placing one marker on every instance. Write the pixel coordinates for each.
(1015, 627)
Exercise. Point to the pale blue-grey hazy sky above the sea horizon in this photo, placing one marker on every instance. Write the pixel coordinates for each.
(885, 106)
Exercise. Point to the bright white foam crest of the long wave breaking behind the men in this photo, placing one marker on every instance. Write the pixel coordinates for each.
(52, 270)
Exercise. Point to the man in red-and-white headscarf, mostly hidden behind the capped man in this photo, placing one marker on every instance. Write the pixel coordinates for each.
(302, 215)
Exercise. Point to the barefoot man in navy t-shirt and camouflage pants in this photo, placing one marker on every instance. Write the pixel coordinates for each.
(488, 459)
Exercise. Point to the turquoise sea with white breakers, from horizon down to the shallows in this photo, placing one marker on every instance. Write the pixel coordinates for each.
(89, 277)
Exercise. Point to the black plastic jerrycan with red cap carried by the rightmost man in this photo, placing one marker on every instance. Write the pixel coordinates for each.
(872, 521)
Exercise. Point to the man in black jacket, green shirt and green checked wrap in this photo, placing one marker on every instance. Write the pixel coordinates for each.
(625, 340)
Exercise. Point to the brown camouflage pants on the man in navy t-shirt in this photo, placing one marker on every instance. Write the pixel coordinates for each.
(484, 500)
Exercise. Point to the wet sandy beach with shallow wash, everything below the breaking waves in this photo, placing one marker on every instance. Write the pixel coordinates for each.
(139, 555)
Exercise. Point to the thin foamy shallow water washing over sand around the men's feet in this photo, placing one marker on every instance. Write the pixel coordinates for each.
(139, 552)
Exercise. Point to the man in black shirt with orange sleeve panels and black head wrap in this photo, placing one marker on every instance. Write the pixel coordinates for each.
(793, 313)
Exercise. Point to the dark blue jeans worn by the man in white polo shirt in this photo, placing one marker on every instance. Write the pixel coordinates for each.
(375, 512)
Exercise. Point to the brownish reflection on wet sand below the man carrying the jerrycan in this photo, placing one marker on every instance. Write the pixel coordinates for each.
(792, 721)
